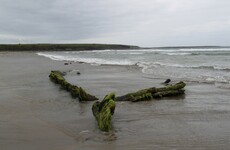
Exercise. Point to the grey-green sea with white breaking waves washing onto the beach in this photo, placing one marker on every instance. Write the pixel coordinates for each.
(202, 65)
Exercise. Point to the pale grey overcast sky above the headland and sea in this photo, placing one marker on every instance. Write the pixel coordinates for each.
(136, 22)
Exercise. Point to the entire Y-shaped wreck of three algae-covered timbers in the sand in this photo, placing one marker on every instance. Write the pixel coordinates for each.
(104, 110)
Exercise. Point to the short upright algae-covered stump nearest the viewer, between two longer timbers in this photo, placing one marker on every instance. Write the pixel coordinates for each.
(103, 112)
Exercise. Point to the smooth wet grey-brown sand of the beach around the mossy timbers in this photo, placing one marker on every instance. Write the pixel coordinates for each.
(36, 114)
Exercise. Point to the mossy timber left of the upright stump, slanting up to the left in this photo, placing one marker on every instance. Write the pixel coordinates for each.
(76, 92)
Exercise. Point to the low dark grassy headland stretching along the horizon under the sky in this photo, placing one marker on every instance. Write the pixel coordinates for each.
(86, 47)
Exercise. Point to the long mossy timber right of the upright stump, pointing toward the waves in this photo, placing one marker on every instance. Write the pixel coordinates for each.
(151, 93)
